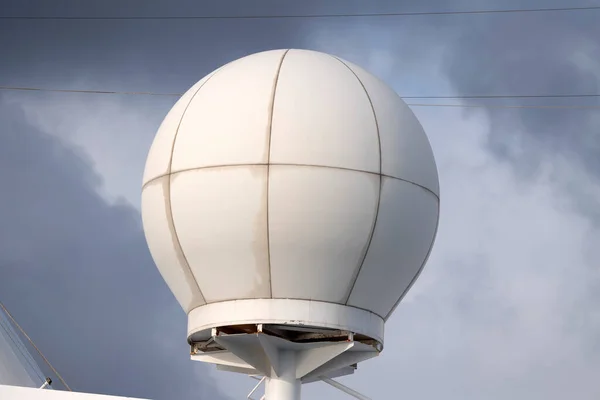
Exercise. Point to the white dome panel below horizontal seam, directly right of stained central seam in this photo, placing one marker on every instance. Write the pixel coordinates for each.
(320, 220)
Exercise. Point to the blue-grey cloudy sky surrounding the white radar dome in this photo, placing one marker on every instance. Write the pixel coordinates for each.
(508, 305)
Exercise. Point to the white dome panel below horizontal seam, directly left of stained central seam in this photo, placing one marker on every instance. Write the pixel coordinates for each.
(220, 215)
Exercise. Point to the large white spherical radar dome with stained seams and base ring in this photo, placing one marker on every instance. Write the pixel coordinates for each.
(290, 185)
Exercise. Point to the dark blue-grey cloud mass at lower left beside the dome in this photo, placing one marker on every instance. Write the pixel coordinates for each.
(76, 272)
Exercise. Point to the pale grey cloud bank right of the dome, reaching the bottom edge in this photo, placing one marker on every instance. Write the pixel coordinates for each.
(507, 305)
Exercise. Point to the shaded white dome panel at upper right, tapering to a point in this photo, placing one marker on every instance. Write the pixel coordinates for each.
(405, 149)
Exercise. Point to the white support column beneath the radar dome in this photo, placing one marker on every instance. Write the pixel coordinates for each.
(285, 386)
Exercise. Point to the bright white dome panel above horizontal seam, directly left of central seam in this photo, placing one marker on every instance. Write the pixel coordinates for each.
(228, 121)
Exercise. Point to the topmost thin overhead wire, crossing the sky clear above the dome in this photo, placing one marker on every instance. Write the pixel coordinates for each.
(305, 16)
